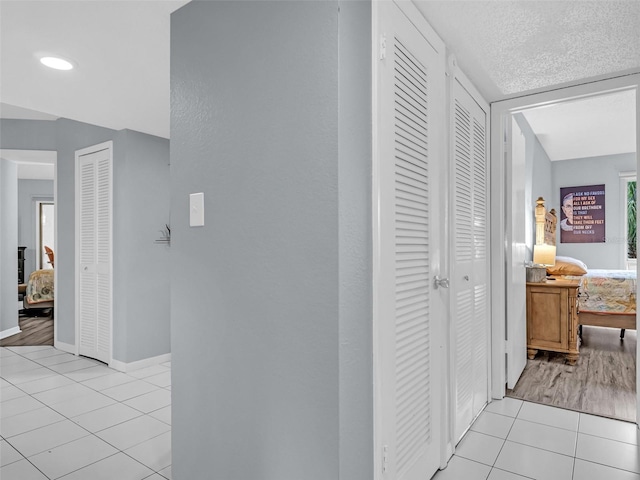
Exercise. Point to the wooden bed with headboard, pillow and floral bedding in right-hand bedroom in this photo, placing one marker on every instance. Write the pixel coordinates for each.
(607, 298)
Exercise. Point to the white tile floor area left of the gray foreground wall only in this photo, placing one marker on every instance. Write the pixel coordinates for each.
(73, 418)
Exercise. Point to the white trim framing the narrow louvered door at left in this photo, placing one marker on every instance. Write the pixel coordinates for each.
(78, 154)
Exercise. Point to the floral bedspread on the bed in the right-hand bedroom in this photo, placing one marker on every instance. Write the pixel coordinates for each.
(612, 291)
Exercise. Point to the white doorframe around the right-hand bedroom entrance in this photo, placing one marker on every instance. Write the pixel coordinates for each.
(501, 112)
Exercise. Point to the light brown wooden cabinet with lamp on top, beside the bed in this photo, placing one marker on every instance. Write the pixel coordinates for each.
(552, 317)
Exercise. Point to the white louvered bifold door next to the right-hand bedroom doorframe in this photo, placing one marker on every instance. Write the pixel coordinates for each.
(469, 259)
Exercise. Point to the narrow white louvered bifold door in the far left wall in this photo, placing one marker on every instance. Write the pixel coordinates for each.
(93, 217)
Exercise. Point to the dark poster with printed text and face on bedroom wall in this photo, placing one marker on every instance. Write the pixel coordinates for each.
(582, 214)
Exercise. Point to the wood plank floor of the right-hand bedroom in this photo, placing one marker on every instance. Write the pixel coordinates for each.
(603, 381)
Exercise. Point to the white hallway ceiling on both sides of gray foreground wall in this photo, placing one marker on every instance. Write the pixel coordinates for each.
(121, 51)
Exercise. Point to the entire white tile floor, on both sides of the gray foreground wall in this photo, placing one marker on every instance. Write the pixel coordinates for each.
(67, 417)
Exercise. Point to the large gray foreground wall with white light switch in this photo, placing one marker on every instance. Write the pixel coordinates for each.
(268, 296)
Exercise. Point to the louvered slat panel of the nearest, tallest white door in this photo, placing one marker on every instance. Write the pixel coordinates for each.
(412, 332)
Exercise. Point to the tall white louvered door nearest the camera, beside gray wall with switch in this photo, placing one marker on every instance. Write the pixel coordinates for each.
(409, 114)
